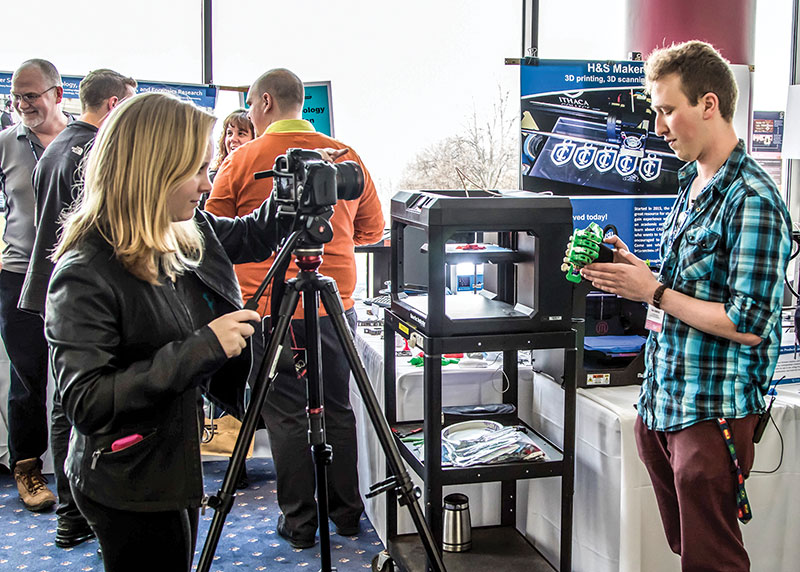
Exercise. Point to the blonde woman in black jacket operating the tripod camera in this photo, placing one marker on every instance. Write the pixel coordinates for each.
(143, 314)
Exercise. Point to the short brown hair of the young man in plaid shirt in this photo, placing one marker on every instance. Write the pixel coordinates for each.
(702, 70)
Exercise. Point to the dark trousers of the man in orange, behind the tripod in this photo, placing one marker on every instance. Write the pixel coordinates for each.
(284, 413)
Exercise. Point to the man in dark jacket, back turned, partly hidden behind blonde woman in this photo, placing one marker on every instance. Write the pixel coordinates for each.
(57, 181)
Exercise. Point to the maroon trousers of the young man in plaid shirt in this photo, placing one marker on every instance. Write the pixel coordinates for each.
(695, 484)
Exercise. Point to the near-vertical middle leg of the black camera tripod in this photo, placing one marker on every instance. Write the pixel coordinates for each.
(320, 450)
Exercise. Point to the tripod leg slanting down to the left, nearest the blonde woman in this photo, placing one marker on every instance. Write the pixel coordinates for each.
(223, 501)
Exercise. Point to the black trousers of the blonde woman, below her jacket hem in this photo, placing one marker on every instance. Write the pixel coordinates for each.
(137, 541)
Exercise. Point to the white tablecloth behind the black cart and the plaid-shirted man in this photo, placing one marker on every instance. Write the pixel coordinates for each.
(616, 525)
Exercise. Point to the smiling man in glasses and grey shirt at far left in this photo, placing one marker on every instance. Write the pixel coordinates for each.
(36, 93)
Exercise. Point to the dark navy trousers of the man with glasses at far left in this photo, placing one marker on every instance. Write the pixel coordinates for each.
(23, 337)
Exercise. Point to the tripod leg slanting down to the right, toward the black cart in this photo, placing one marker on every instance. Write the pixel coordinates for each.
(405, 489)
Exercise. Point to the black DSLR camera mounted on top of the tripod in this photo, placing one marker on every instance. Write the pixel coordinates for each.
(304, 182)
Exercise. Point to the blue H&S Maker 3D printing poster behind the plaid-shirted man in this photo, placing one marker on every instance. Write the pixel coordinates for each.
(588, 133)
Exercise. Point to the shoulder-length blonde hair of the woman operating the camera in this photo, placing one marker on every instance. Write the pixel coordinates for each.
(150, 145)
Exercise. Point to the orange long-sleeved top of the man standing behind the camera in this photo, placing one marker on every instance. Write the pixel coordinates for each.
(236, 193)
